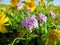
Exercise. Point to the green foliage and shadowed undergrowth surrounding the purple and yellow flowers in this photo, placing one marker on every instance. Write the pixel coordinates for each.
(17, 34)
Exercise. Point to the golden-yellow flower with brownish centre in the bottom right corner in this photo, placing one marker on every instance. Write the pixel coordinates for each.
(52, 37)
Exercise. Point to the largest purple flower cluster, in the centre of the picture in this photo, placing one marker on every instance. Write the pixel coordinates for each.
(30, 22)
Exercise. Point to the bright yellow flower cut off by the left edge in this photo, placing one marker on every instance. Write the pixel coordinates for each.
(3, 20)
